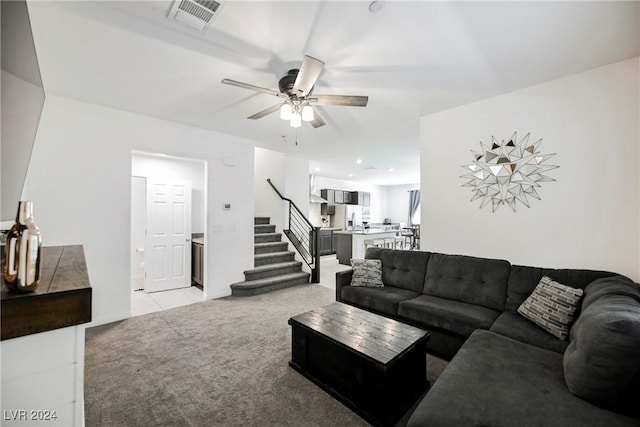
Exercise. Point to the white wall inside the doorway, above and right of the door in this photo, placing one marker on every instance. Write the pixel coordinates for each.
(192, 171)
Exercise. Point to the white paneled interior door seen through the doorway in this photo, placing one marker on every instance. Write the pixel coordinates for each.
(168, 242)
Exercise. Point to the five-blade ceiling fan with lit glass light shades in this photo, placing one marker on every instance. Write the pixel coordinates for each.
(297, 98)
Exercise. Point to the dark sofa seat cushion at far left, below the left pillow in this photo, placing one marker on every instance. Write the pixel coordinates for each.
(382, 300)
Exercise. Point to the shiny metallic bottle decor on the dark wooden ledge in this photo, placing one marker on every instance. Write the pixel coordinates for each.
(23, 250)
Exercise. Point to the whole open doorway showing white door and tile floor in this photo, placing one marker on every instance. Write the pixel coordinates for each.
(168, 209)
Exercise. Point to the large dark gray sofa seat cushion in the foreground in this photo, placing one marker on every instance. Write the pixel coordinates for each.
(496, 381)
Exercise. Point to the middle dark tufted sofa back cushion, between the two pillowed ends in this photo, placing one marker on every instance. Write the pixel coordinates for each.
(479, 281)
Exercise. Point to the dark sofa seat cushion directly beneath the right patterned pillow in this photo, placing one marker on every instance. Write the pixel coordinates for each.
(517, 327)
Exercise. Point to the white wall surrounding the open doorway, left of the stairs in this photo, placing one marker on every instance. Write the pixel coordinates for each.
(79, 179)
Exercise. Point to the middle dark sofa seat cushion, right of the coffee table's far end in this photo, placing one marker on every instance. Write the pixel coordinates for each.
(454, 316)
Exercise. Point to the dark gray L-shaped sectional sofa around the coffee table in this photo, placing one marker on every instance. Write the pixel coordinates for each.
(504, 369)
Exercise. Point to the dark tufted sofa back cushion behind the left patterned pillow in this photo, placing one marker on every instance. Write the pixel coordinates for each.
(401, 269)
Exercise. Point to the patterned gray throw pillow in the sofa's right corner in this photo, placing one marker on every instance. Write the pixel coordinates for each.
(552, 307)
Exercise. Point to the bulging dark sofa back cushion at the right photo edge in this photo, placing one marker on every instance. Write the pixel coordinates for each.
(602, 362)
